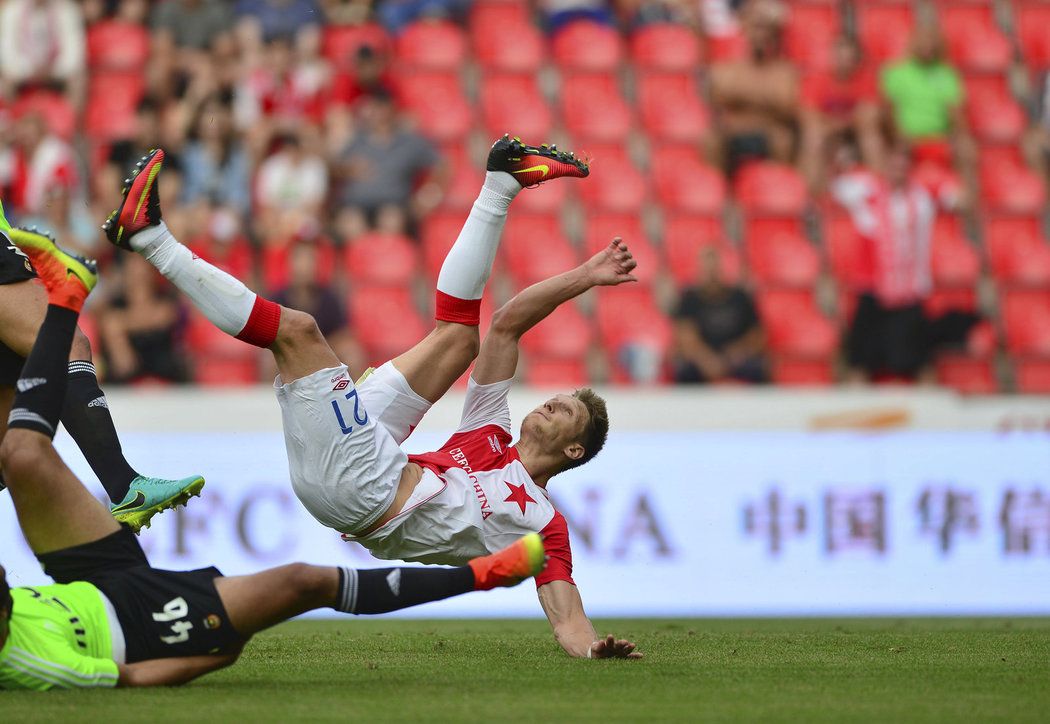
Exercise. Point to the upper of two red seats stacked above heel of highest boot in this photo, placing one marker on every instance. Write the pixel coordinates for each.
(490, 35)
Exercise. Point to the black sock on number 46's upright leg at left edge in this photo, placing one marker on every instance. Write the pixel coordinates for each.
(41, 389)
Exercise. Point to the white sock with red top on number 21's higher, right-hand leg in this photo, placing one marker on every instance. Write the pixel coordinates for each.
(470, 262)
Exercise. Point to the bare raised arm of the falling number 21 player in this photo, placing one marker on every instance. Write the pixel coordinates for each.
(499, 353)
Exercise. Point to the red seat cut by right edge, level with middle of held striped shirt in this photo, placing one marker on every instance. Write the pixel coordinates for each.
(1018, 253)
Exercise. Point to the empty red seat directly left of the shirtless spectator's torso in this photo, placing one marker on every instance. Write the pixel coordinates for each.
(671, 108)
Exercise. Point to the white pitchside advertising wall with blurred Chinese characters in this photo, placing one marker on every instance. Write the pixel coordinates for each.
(707, 503)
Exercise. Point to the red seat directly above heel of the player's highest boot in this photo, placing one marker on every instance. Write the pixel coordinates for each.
(513, 103)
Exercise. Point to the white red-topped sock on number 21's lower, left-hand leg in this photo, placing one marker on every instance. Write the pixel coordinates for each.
(225, 301)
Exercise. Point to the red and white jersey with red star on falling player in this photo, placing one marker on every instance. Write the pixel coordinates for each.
(475, 498)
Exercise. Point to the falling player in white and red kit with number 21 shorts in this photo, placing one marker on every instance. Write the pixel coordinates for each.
(479, 493)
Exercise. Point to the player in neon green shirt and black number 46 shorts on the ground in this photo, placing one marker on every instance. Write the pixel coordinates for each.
(112, 620)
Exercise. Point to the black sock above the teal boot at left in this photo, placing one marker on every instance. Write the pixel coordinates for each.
(87, 418)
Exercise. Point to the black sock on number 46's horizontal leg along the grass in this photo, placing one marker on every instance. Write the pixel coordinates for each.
(379, 591)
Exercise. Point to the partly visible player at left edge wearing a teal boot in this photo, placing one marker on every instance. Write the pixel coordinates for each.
(136, 499)
